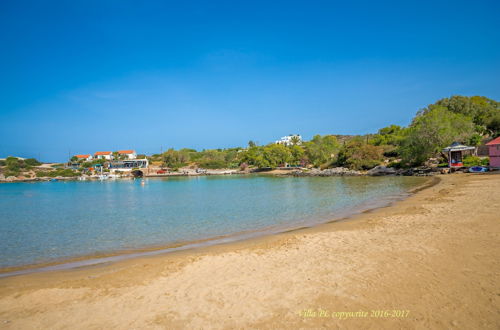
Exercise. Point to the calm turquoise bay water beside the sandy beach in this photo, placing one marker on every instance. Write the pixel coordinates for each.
(44, 222)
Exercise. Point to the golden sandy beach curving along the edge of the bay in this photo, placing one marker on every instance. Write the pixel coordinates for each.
(434, 256)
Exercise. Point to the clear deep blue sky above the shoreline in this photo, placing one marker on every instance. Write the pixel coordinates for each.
(86, 76)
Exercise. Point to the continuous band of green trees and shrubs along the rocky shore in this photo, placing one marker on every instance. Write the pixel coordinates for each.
(469, 120)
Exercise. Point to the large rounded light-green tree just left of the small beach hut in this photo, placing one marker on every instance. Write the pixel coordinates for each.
(433, 130)
